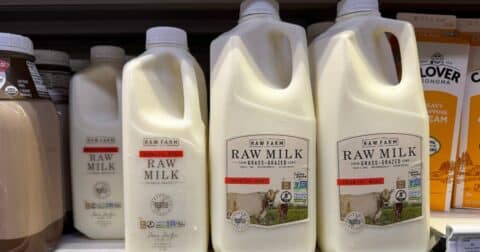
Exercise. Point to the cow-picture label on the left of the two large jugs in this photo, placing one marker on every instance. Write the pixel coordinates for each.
(266, 180)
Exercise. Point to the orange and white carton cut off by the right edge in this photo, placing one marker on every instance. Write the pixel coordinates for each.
(467, 178)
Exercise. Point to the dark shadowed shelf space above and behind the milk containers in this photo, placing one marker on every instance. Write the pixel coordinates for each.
(76, 25)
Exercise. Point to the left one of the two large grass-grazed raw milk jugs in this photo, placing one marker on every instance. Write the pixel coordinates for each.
(262, 135)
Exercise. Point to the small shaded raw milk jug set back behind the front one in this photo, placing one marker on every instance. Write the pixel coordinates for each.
(95, 130)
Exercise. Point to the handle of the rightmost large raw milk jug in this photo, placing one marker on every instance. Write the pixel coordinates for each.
(405, 35)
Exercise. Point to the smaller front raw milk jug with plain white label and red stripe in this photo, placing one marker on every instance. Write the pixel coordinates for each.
(164, 131)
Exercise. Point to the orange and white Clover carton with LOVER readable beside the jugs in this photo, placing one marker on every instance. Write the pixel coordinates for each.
(443, 64)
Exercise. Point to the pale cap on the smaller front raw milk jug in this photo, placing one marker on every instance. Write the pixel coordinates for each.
(164, 35)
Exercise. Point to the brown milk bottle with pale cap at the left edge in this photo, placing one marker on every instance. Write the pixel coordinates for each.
(31, 199)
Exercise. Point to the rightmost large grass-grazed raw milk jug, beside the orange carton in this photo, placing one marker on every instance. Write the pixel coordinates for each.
(372, 136)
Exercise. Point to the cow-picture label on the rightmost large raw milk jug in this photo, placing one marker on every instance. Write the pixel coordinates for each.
(379, 180)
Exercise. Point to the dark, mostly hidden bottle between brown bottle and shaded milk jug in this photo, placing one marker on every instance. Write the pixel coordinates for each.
(54, 67)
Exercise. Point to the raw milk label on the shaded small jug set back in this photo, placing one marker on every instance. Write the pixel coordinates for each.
(102, 163)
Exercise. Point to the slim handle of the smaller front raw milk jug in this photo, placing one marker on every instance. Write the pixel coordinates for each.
(191, 97)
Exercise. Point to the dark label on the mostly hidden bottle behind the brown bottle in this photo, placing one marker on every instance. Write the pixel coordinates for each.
(57, 83)
